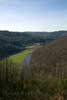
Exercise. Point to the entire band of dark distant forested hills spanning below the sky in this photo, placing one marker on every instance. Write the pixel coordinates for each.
(13, 42)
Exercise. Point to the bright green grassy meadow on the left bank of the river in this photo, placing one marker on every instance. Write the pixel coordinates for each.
(19, 58)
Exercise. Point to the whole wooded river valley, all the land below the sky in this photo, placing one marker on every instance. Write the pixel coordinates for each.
(33, 65)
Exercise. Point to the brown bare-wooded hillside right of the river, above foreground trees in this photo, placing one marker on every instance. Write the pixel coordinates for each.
(54, 54)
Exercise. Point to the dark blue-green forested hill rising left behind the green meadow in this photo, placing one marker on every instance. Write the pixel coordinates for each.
(13, 42)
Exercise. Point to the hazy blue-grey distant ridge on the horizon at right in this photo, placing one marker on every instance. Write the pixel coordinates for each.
(55, 34)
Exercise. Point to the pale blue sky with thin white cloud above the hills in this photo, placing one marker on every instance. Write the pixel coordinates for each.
(33, 15)
